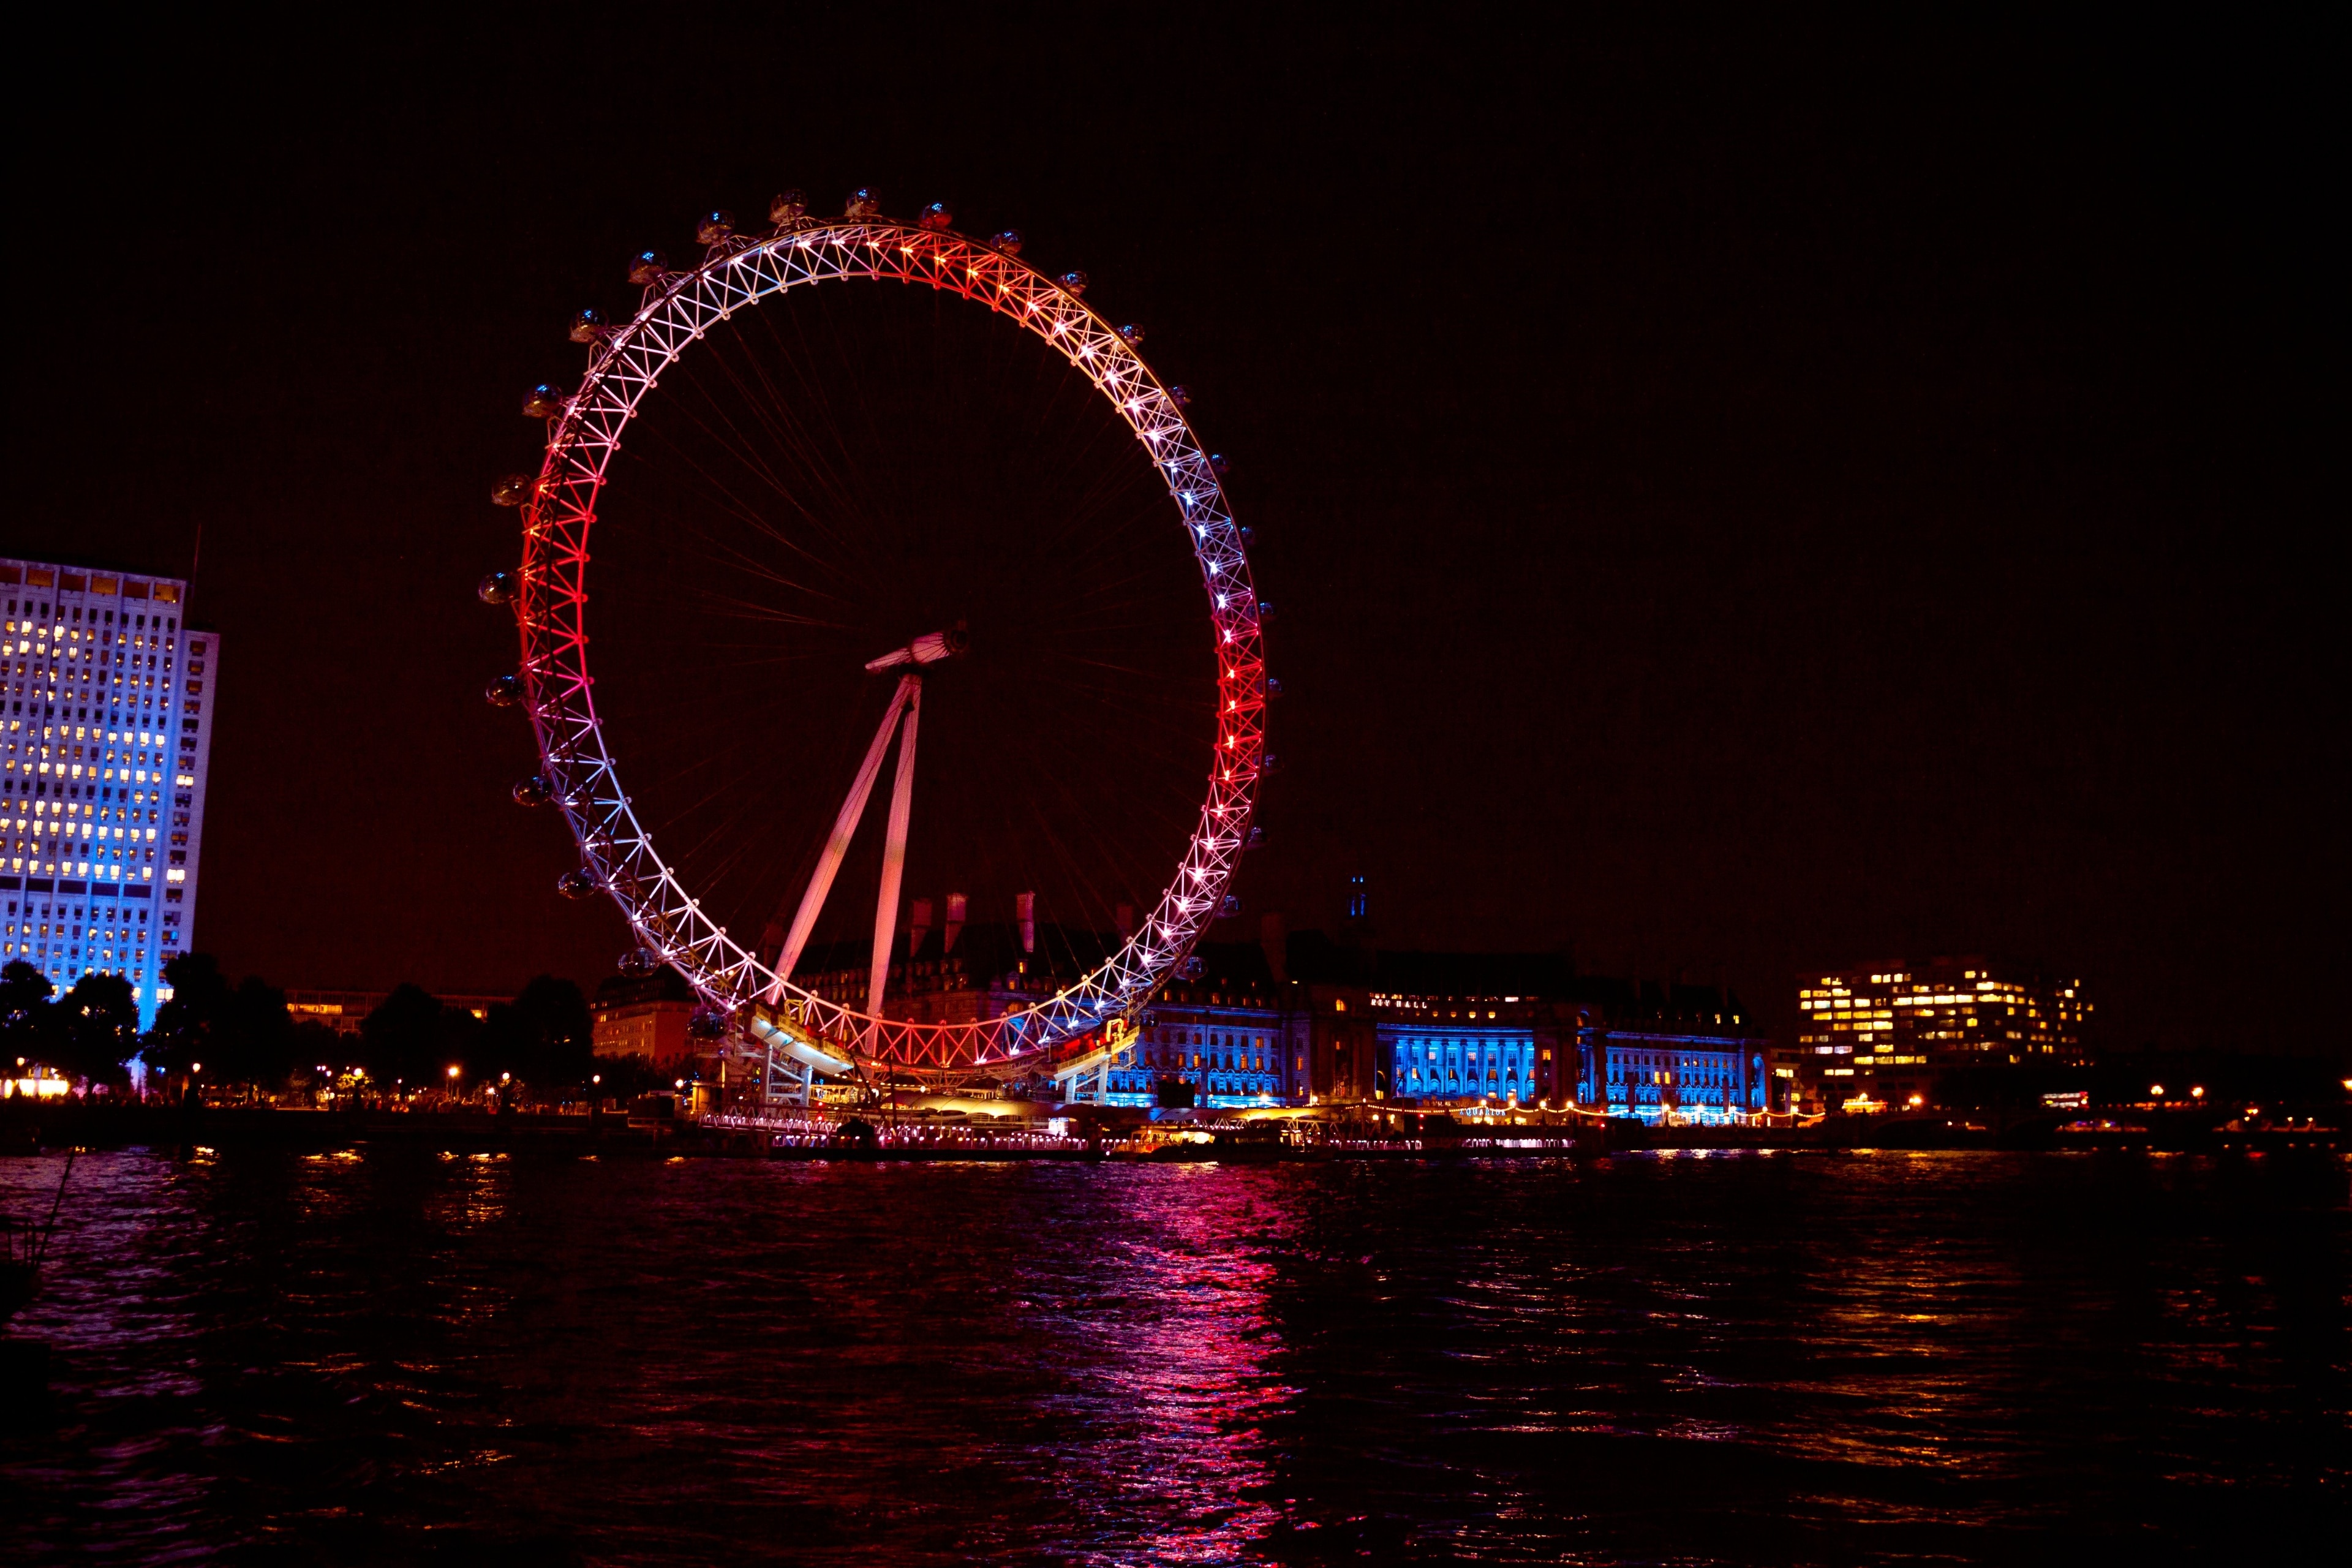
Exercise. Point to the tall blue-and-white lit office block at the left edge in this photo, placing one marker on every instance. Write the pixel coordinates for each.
(105, 697)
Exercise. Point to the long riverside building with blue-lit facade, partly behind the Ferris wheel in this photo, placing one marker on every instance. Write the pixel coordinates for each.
(1302, 1019)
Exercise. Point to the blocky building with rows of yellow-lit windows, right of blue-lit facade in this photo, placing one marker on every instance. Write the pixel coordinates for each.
(1883, 1036)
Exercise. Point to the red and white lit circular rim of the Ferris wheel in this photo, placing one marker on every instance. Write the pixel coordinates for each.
(617, 852)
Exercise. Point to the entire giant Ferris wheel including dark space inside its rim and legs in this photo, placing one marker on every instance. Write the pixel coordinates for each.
(846, 516)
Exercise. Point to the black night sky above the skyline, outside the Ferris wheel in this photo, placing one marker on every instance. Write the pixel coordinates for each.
(1739, 497)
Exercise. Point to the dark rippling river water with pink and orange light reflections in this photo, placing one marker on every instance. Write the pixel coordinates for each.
(1648, 1360)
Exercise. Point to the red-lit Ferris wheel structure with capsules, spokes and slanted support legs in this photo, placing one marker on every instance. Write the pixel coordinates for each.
(806, 525)
